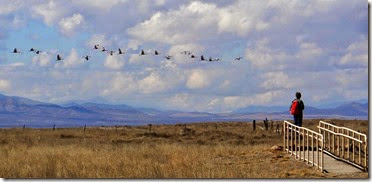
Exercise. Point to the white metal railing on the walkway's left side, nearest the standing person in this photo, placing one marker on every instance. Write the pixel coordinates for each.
(300, 142)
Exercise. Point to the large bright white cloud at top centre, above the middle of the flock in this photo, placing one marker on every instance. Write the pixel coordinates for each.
(180, 26)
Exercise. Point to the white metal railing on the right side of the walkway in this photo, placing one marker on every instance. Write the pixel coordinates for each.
(345, 144)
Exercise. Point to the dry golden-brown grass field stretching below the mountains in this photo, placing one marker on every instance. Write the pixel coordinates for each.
(201, 150)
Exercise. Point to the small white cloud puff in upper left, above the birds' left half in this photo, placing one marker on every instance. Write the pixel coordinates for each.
(69, 25)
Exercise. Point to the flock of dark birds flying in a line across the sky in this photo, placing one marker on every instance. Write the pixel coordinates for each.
(97, 47)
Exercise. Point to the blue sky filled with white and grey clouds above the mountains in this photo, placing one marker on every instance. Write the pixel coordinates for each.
(317, 47)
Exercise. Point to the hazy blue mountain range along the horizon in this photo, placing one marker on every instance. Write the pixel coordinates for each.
(17, 111)
